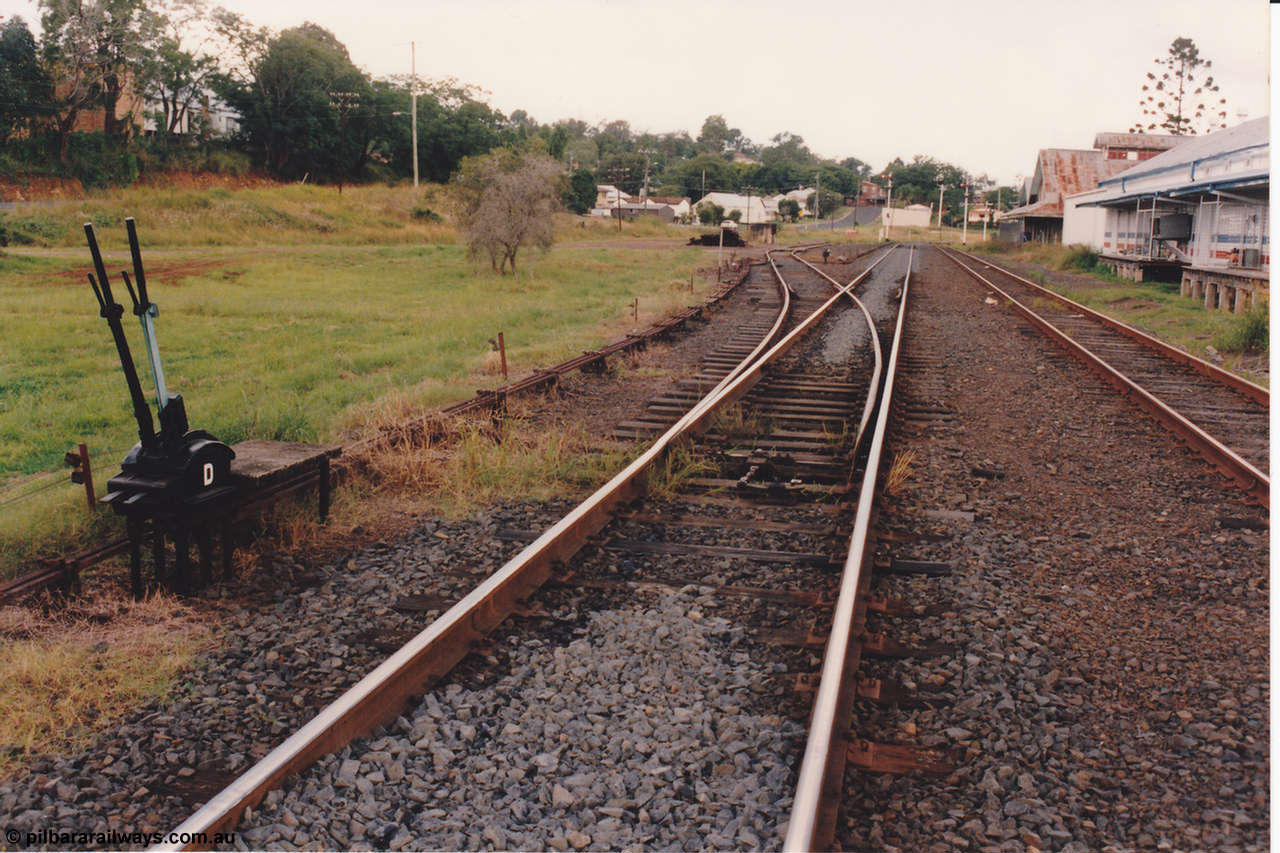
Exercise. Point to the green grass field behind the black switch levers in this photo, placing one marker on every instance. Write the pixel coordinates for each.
(290, 335)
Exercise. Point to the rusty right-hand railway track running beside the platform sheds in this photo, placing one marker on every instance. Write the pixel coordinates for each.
(1224, 417)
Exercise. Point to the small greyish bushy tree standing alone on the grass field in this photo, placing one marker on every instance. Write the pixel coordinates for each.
(506, 202)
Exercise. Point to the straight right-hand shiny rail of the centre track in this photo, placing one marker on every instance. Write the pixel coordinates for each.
(812, 824)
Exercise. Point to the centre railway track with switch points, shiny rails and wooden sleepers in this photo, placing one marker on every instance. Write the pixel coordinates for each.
(749, 528)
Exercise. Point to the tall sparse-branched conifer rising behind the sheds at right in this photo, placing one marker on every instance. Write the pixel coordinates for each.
(1180, 97)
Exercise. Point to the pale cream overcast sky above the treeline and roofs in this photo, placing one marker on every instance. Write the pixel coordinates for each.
(982, 85)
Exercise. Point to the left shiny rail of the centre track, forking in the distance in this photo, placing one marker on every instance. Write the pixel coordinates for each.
(382, 695)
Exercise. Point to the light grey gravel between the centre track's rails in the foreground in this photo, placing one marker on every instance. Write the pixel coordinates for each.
(632, 736)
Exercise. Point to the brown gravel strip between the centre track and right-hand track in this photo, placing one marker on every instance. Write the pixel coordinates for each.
(1109, 683)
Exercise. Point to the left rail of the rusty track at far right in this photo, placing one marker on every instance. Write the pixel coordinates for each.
(1250, 478)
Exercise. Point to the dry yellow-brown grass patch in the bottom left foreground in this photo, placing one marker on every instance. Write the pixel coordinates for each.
(77, 669)
